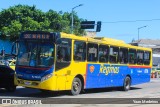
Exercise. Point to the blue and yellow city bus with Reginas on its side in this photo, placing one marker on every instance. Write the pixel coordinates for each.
(60, 61)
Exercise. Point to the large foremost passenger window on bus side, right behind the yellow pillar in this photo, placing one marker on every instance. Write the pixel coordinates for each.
(79, 51)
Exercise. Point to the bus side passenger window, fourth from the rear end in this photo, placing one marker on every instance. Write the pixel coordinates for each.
(123, 55)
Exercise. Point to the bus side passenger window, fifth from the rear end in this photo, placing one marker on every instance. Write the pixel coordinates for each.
(113, 54)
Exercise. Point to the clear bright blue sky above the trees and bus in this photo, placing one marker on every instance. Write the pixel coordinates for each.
(107, 11)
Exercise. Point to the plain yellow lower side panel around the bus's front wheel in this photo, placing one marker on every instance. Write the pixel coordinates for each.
(66, 75)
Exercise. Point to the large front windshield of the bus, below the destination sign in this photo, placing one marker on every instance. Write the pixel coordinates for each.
(35, 54)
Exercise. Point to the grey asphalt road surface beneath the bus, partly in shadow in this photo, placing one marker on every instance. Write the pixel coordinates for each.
(147, 90)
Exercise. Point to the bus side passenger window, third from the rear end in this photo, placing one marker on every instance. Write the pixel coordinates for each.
(132, 56)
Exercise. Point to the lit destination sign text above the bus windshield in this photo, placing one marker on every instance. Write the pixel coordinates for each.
(36, 36)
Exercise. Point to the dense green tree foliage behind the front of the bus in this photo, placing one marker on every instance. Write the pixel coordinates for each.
(19, 18)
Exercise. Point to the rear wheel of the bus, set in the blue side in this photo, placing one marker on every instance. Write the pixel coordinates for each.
(126, 84)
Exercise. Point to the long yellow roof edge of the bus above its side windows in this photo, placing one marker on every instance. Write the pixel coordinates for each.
(104, 40)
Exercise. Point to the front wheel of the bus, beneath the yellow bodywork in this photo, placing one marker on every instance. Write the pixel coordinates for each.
(76, 86)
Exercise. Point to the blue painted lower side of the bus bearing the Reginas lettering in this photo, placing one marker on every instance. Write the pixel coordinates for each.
(105, 75)
